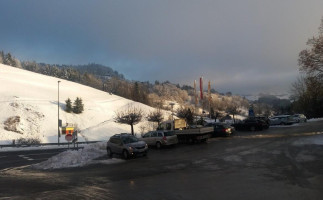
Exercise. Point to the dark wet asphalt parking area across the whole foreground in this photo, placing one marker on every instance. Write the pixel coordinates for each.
(279, 163)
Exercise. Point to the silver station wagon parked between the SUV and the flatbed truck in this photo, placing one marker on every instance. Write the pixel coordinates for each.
(160, 138)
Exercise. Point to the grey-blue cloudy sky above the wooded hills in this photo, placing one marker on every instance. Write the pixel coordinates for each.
(242, 46)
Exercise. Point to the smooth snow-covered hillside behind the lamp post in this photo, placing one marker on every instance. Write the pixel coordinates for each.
(28, 108)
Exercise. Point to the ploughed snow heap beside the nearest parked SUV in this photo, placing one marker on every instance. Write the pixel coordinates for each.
(73, 158)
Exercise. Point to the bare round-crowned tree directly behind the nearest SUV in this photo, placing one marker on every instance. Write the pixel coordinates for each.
(130, 116)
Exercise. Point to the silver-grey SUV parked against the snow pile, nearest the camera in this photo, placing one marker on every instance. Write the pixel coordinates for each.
(126, 145)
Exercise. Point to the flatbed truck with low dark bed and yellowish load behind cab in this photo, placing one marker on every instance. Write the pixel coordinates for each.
(186, 134)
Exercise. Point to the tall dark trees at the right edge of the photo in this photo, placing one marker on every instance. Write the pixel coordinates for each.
(308, 89)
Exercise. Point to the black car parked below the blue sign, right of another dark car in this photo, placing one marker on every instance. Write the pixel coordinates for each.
(251, 124)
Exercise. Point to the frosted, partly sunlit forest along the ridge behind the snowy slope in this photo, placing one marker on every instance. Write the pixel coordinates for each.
(157, 94)
